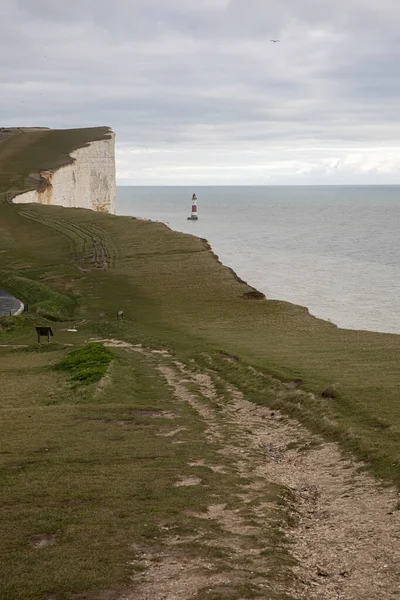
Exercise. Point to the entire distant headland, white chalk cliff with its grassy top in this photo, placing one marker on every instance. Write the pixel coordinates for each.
(65, 167)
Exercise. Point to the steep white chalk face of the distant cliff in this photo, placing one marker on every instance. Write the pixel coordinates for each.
(88, 181)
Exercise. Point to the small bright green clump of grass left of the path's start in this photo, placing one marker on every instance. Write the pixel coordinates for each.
(86, 365)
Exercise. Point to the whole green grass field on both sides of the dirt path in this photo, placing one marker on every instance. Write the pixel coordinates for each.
(68, 467)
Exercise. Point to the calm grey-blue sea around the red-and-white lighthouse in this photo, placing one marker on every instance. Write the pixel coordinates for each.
(334, 249)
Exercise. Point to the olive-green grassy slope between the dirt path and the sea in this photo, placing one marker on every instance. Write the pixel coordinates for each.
(175, 293)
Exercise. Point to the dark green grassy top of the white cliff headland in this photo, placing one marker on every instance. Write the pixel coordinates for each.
(25, 152)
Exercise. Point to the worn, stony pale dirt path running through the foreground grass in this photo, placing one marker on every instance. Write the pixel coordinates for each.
(344, 533)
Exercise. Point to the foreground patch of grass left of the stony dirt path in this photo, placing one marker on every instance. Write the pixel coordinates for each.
(94, 484)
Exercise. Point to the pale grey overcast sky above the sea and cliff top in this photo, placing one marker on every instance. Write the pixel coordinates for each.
(198, 94)
